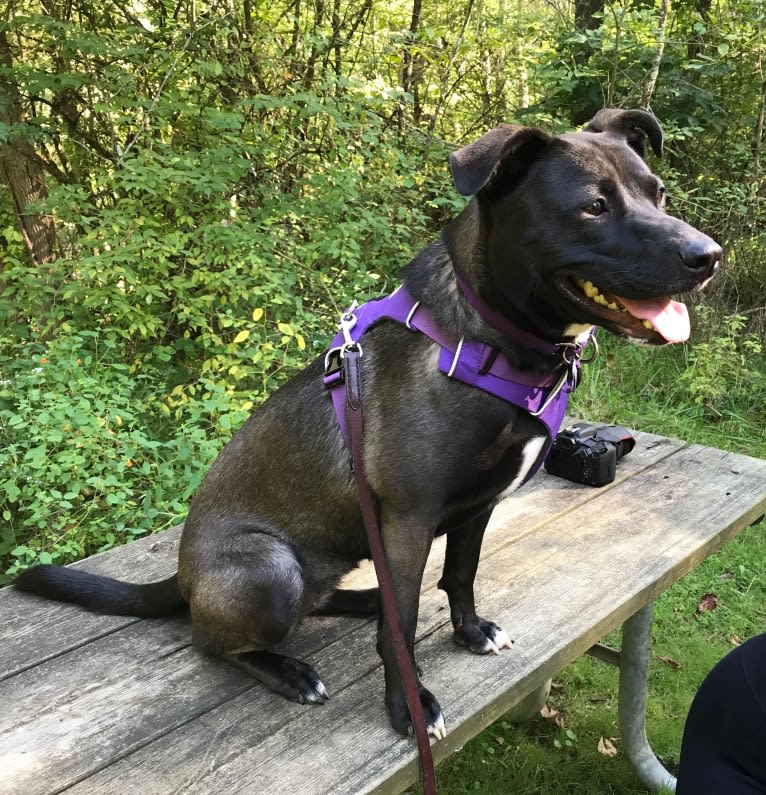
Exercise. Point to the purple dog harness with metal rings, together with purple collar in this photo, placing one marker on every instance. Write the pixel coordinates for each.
(474, 363)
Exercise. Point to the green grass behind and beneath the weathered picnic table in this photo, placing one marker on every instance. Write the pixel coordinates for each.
(646, 390)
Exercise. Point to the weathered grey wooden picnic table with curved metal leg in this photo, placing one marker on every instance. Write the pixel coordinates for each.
(97, 704)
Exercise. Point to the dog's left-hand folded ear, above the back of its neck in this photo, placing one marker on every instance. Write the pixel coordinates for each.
(497, 159)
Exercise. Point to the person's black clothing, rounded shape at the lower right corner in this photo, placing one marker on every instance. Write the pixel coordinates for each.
(724, 744)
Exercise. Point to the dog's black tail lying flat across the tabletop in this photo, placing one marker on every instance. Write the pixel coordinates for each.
(101, 594)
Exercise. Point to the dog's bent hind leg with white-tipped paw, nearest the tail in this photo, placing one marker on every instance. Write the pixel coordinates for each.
(247, 602)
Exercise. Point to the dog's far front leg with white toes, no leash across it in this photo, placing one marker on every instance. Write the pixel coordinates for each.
(461, 559)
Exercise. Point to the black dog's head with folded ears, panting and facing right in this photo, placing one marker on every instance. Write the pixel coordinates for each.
(575, 229)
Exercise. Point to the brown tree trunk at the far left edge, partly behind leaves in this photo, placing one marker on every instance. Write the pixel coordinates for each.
(23, 173)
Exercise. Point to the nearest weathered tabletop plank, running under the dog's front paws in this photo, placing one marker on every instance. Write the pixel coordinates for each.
(557, 591)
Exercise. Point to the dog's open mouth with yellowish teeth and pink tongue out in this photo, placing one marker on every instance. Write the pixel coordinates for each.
(655, 320)
